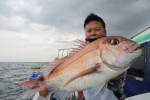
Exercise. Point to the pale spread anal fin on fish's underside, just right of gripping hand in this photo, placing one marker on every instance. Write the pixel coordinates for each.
(60, 95)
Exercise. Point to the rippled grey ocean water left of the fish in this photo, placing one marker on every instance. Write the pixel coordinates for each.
(11, 76)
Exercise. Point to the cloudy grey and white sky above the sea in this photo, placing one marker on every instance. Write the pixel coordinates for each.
(34, 30)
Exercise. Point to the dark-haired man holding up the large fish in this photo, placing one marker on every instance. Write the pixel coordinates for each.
(94, 28)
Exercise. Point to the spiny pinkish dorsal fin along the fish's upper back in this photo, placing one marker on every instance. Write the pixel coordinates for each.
(56, 63)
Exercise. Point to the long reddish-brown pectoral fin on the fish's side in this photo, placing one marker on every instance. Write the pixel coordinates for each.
(96, 68)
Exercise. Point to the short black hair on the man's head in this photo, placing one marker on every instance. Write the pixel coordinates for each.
(94, 17)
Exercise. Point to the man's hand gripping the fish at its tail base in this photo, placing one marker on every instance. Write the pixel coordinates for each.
(42, 91)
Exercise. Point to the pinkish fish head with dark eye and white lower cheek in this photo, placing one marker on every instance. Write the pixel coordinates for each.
(118, 51)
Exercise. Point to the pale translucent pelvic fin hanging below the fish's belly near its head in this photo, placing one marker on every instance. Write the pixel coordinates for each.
(100, 88)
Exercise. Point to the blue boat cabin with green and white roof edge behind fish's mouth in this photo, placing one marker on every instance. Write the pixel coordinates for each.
(137, 84)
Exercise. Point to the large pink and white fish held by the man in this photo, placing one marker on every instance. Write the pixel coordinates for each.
(89, 65)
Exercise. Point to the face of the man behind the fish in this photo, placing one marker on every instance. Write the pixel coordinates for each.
(94, 29)
